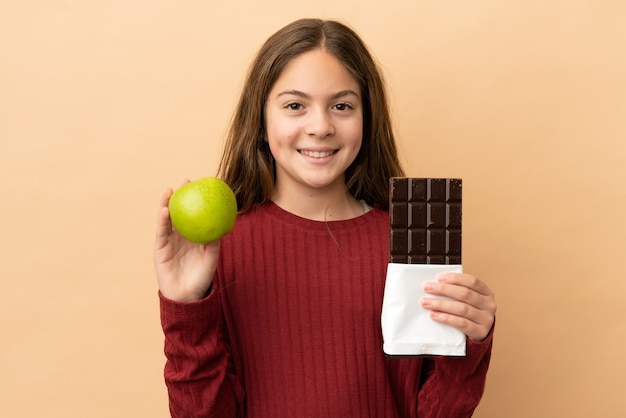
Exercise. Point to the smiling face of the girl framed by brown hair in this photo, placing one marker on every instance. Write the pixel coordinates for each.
(314, 122)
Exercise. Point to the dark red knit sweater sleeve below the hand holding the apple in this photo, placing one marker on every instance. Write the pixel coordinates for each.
(199, 374)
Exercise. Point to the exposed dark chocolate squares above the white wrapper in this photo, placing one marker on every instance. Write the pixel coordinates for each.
(425, 220)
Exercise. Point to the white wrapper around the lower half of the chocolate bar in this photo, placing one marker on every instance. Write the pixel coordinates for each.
(408, 329)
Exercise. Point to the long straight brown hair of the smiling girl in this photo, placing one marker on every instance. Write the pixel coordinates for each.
(247, 164)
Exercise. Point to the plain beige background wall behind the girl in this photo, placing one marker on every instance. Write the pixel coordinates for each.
(105, 103)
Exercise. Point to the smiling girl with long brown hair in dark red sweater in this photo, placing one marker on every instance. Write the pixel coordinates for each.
(281, 318)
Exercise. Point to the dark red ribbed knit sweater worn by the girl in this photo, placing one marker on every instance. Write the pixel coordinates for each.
(292, 329)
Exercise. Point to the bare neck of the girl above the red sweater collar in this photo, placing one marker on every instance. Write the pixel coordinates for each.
(330, 204)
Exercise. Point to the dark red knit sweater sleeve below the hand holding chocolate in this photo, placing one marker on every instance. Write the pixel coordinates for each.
(453, 386)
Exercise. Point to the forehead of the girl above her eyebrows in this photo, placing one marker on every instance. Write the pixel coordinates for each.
(315, 71)
